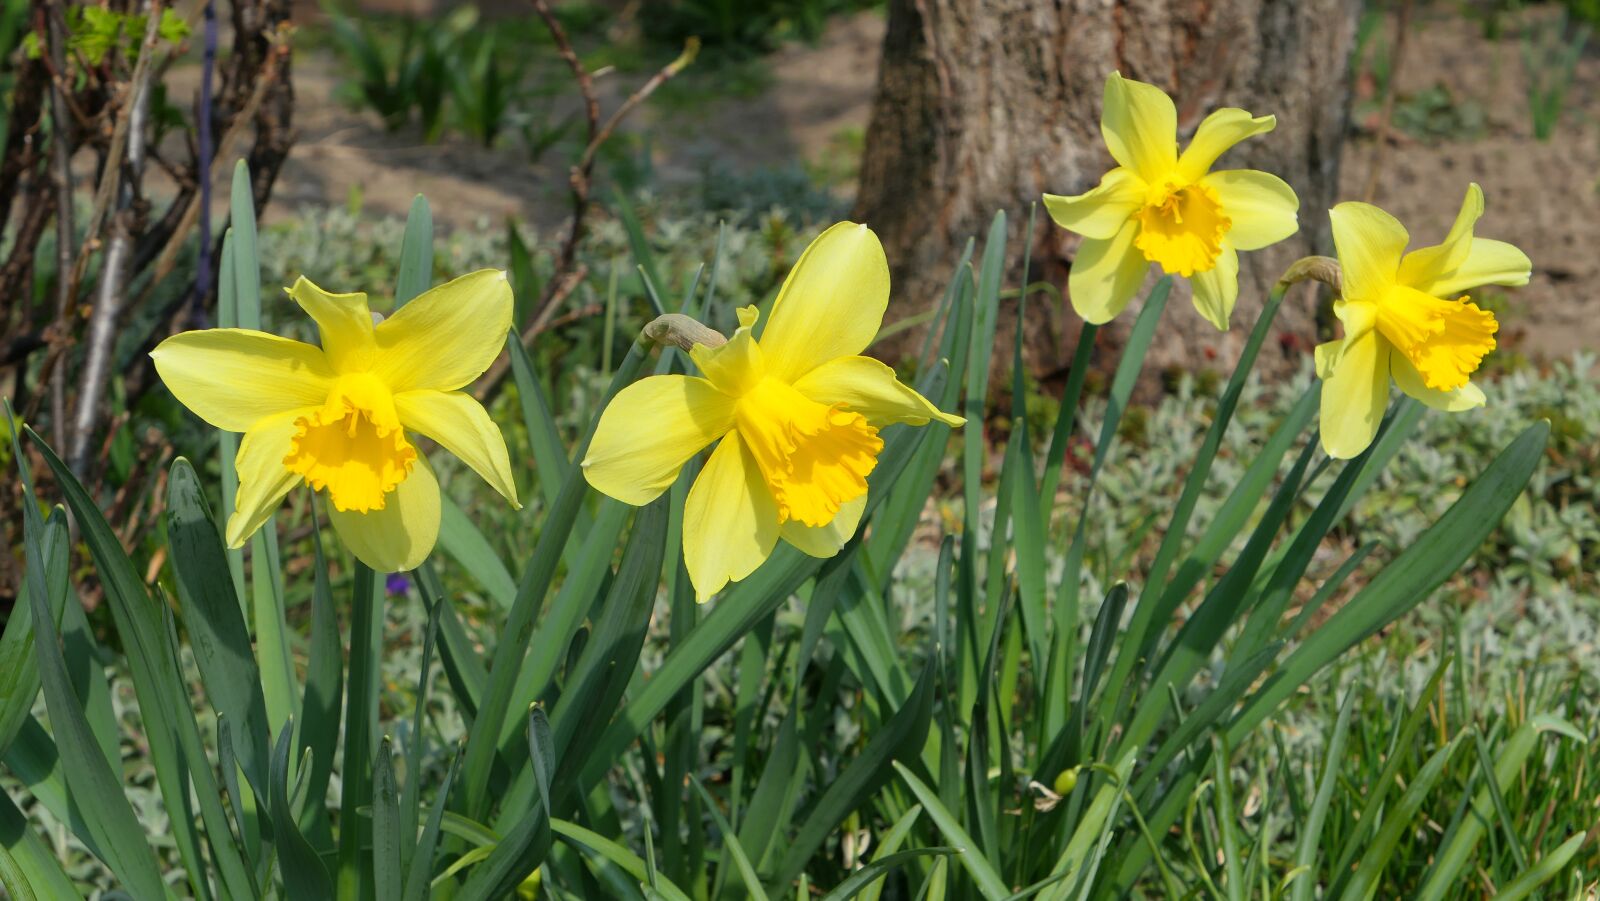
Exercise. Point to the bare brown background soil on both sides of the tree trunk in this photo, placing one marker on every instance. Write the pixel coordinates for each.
(1545, 196)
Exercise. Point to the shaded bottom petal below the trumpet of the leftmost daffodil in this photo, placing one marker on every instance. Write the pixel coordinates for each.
(402, 534)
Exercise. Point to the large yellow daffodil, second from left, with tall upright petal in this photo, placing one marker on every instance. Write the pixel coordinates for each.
(796, 420)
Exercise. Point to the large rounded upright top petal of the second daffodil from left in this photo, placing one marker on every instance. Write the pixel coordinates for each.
(831, 303)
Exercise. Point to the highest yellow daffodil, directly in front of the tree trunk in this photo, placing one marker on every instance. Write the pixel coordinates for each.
(1170, 209)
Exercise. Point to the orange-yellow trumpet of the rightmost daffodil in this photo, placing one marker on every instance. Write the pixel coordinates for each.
(1444, 340)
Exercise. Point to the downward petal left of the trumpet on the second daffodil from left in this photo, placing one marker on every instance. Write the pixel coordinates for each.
(730, 521)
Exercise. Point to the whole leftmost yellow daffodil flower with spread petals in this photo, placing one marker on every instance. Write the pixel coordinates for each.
(338, 417)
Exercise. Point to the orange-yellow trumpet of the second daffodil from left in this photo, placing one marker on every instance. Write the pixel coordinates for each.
(814, 457)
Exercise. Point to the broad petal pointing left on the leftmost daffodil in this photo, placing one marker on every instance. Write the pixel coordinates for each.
(234, 377)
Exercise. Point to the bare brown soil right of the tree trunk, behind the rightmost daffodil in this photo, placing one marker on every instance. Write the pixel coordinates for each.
(1543, 196)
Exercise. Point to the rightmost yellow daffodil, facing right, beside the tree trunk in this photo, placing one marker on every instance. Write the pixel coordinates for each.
(1406, 316)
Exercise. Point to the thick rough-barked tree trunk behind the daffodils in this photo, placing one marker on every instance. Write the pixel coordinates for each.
(986, 105)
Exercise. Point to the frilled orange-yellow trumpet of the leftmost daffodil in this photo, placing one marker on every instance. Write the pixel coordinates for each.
(353, 446)
